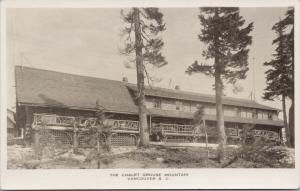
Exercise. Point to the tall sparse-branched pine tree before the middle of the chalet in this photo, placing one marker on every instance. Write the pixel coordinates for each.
(143, 45)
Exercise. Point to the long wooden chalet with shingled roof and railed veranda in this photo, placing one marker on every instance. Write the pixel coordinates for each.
(56, 100)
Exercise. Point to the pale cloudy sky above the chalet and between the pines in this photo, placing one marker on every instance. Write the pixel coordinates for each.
(87, 41)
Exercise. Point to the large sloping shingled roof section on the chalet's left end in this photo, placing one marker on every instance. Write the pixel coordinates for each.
(49, 88)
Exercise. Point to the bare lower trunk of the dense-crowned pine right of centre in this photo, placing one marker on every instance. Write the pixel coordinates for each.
(220, 115)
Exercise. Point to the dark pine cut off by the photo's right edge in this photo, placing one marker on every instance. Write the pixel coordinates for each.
(280, 76)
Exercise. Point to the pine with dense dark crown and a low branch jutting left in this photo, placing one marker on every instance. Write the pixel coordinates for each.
(227, 41)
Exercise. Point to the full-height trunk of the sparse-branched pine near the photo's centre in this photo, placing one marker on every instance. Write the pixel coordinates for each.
(144, 134)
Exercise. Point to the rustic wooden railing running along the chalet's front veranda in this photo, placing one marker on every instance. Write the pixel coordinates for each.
(68, 122)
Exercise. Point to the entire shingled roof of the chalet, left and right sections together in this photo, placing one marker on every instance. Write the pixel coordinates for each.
(50, 88)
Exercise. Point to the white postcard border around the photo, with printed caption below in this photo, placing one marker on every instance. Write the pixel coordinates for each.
(197, 178)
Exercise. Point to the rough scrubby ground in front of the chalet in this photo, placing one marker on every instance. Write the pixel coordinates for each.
(131, 157)
